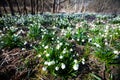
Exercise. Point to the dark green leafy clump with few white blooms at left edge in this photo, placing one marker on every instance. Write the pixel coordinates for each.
(11, 40)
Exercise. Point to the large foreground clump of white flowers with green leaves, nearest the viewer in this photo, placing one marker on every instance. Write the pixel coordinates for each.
(60, 59)
